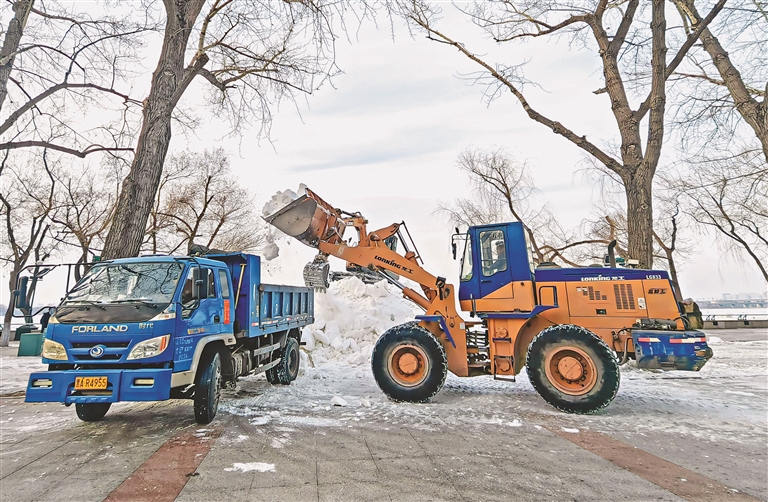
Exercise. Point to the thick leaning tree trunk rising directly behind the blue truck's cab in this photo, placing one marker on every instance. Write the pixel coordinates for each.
(169, 81)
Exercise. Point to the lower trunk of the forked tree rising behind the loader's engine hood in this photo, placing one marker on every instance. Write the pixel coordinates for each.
(640, 219)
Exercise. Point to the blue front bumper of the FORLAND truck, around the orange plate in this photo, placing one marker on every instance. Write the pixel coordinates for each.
(122, 385)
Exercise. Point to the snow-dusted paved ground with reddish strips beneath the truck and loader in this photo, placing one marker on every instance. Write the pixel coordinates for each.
(667, 436)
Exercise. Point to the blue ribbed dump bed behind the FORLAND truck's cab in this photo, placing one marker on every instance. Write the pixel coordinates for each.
(265, 308)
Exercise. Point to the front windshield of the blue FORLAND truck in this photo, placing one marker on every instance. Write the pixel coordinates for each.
(152, 282)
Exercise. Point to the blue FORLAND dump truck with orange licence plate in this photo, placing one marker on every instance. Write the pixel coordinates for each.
(166, 327)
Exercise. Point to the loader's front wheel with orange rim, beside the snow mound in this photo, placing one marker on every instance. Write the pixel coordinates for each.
(409, 363)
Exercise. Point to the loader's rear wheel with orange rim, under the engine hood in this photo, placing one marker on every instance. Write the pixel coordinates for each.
(573, 369)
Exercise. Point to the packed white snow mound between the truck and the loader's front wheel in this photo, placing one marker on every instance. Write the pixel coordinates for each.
(350, 317)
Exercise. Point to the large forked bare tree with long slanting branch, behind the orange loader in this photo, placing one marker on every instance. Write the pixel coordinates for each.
(632, 45)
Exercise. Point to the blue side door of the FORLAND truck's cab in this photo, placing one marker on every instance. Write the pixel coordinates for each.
(199, 318)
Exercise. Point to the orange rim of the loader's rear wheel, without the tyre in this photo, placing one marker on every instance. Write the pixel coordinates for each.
(571, 370)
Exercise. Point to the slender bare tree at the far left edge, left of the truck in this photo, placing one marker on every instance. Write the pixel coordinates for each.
(26, 203)
